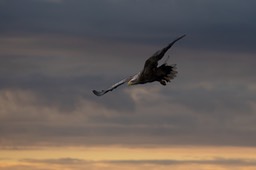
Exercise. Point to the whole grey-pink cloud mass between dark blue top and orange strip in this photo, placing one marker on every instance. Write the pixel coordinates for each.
(209, 107)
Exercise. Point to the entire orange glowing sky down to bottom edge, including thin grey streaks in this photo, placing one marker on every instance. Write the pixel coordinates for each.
(116, 157)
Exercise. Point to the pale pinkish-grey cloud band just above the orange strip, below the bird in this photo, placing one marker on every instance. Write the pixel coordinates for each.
(93, 123)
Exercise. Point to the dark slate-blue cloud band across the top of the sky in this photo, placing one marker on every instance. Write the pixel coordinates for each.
(211, 25)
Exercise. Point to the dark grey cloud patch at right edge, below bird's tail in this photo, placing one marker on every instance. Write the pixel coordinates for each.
(223, 99)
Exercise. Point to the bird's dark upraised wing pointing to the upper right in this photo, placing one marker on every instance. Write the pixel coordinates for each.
(152, 61)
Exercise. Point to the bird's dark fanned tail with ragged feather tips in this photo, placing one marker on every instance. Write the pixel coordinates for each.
(166, 73)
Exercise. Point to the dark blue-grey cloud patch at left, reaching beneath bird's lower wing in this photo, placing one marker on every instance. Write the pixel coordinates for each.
(66, 92)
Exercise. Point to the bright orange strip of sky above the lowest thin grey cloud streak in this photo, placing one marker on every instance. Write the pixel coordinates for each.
(130, 153)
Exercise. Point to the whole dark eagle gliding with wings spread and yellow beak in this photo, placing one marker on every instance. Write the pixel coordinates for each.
(151, 72)
